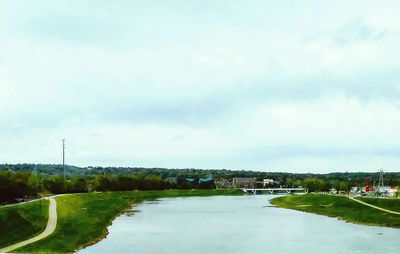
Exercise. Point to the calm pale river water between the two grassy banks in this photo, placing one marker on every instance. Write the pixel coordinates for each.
(243, 224)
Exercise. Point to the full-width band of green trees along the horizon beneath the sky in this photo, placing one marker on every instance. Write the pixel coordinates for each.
(30, 180)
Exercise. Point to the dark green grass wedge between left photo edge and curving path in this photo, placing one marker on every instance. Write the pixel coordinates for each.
(18, 223)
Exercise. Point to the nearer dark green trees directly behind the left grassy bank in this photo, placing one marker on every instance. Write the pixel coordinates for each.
(17, 185)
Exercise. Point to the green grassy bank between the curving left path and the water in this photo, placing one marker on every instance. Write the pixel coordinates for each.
(83, 218)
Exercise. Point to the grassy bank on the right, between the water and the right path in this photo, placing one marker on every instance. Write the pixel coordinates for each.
(339, 207)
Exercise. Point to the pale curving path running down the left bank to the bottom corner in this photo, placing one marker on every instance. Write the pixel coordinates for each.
(51, 226)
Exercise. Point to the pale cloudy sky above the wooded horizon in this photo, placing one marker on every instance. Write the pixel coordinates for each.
(298, 86)
